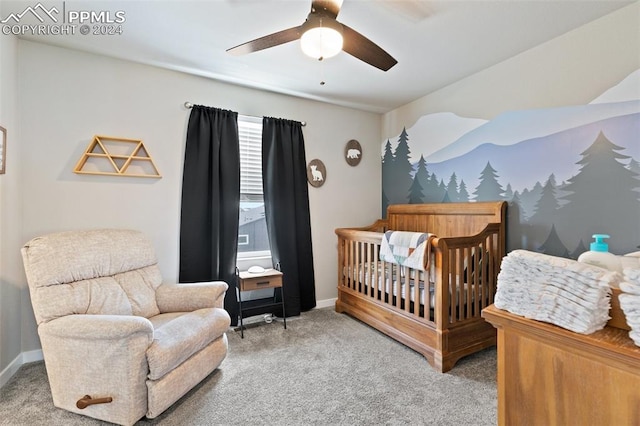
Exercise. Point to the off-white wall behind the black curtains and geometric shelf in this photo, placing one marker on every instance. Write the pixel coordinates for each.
(67, 97)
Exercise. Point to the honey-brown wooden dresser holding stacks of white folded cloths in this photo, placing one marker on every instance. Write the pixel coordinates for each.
(548, 375)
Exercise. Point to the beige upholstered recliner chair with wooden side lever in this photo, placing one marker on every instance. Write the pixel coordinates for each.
(119, 344)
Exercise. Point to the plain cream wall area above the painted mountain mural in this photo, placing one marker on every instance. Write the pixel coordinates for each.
(571, 69)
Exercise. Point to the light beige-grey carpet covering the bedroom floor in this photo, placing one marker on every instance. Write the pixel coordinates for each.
(325, 369)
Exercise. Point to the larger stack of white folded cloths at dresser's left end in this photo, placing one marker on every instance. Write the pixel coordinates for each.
(564, 292)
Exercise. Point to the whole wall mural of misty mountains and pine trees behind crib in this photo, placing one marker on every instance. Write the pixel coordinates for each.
(566, 173)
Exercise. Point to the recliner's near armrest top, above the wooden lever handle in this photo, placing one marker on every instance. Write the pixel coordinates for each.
(98, 327)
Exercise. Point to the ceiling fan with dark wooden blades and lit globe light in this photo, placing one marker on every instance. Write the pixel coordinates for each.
(322, 36)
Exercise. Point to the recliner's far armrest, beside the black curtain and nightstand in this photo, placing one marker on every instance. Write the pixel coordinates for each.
(190, 297)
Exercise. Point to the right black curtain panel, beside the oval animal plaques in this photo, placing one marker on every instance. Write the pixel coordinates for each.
(286, 204)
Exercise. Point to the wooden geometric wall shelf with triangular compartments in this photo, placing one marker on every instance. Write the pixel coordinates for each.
(111, 156)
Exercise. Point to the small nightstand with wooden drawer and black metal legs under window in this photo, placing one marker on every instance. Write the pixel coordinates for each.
(271, 278)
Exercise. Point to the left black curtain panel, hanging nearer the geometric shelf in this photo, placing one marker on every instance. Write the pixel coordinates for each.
(211, 201)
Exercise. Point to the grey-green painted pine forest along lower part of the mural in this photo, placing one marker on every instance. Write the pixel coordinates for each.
(557, 219)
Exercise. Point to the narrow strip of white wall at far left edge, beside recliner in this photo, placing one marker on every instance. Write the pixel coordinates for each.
(13, 291)
